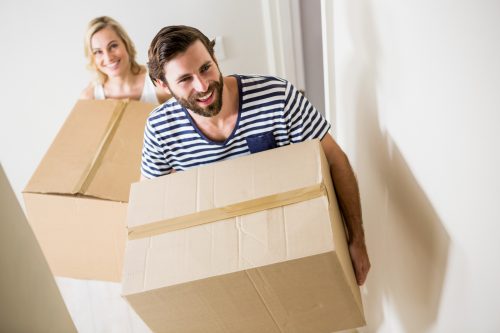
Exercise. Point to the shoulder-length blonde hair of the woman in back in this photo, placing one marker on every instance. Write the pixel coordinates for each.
(97, 25)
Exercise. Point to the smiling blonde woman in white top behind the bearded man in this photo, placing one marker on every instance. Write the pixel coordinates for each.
(111, 54)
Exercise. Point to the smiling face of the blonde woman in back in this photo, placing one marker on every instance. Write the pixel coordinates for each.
(109, 52)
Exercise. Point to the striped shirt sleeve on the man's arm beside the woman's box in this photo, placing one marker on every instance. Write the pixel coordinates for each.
(154, 162)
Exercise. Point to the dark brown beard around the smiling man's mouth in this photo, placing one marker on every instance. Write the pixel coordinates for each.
(213, 109)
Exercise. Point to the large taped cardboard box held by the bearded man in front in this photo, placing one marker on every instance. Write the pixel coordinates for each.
(254, 244)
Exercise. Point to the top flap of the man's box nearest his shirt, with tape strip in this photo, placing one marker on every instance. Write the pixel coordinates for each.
(226, 189)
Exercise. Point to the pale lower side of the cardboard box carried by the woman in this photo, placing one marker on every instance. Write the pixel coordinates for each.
(81, 237)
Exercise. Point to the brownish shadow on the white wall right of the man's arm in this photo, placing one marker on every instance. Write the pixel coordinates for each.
(407, 242)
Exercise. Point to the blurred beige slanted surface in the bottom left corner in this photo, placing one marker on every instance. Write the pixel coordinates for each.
(29, 298)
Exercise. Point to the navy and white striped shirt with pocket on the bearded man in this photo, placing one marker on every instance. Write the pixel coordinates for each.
(272, 113)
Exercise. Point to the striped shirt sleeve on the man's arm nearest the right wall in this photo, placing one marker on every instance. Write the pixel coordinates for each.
(303, 120)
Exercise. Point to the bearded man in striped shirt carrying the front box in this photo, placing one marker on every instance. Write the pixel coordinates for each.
(212, 118)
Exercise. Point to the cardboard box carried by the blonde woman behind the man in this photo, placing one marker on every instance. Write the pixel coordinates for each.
(76, 200)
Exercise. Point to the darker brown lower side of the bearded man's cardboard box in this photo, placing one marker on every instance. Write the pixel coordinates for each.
(303, 295)
